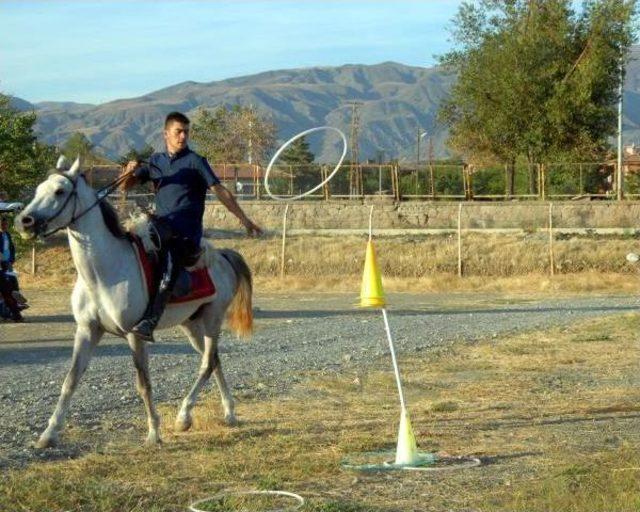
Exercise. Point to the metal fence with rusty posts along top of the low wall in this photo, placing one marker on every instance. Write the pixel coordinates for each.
(445, 181)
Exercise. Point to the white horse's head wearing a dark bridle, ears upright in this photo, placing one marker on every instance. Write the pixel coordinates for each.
(54, 202)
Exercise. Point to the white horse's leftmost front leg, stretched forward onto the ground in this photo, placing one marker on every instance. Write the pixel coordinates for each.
(86, 339)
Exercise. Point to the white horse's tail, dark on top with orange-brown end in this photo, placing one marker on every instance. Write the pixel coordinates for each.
(240, 311)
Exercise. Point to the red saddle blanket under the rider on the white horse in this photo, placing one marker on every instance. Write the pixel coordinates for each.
(193, 283)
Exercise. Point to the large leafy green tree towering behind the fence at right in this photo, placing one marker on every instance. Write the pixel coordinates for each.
(536, 80)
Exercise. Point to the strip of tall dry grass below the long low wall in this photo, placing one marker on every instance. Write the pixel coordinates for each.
(500, 263)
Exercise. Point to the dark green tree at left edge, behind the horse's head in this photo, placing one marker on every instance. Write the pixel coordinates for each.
(23, 160)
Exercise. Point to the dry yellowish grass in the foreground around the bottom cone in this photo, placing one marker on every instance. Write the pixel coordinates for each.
(553, 414)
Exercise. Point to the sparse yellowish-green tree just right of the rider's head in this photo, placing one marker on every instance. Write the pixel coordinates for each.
(237, 134)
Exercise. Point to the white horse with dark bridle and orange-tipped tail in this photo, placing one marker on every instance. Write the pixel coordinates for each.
(110, 296)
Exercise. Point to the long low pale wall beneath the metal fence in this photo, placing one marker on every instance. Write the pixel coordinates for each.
(430, 215)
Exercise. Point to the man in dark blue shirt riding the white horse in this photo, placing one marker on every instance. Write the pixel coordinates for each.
(180, 179)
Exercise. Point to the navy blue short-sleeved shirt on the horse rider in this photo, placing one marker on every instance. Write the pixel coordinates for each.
(181, 182)
